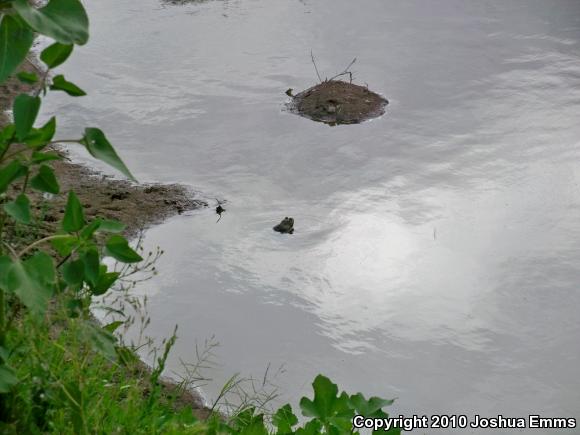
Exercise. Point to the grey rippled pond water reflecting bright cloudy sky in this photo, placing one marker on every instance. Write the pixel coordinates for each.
(436, 253)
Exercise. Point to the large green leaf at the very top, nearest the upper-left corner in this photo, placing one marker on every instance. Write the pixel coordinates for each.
(65, 21)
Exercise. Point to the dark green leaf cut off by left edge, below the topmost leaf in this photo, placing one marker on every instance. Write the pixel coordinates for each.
(15, 41)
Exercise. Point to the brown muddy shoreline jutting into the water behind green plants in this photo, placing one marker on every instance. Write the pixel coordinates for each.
(138, 206)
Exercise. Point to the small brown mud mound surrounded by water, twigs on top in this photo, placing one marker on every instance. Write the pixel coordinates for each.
(337, 102)
